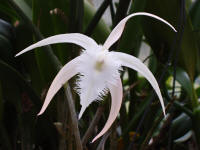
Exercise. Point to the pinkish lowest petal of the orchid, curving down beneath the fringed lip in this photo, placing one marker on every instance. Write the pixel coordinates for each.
(116, 94)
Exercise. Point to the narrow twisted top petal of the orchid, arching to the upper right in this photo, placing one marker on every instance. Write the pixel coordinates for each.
(117, 31)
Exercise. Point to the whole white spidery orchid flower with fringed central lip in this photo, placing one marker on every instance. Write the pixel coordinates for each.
(98, 69)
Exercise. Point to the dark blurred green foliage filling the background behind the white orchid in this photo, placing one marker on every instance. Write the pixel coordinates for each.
(174, 58)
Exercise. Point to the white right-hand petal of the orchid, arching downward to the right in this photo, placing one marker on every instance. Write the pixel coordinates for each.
(134, 63)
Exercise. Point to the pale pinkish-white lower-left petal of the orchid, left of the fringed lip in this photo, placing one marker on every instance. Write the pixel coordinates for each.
(67, 72)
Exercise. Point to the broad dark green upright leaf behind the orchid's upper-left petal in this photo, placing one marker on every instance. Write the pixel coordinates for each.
(42, 18)
